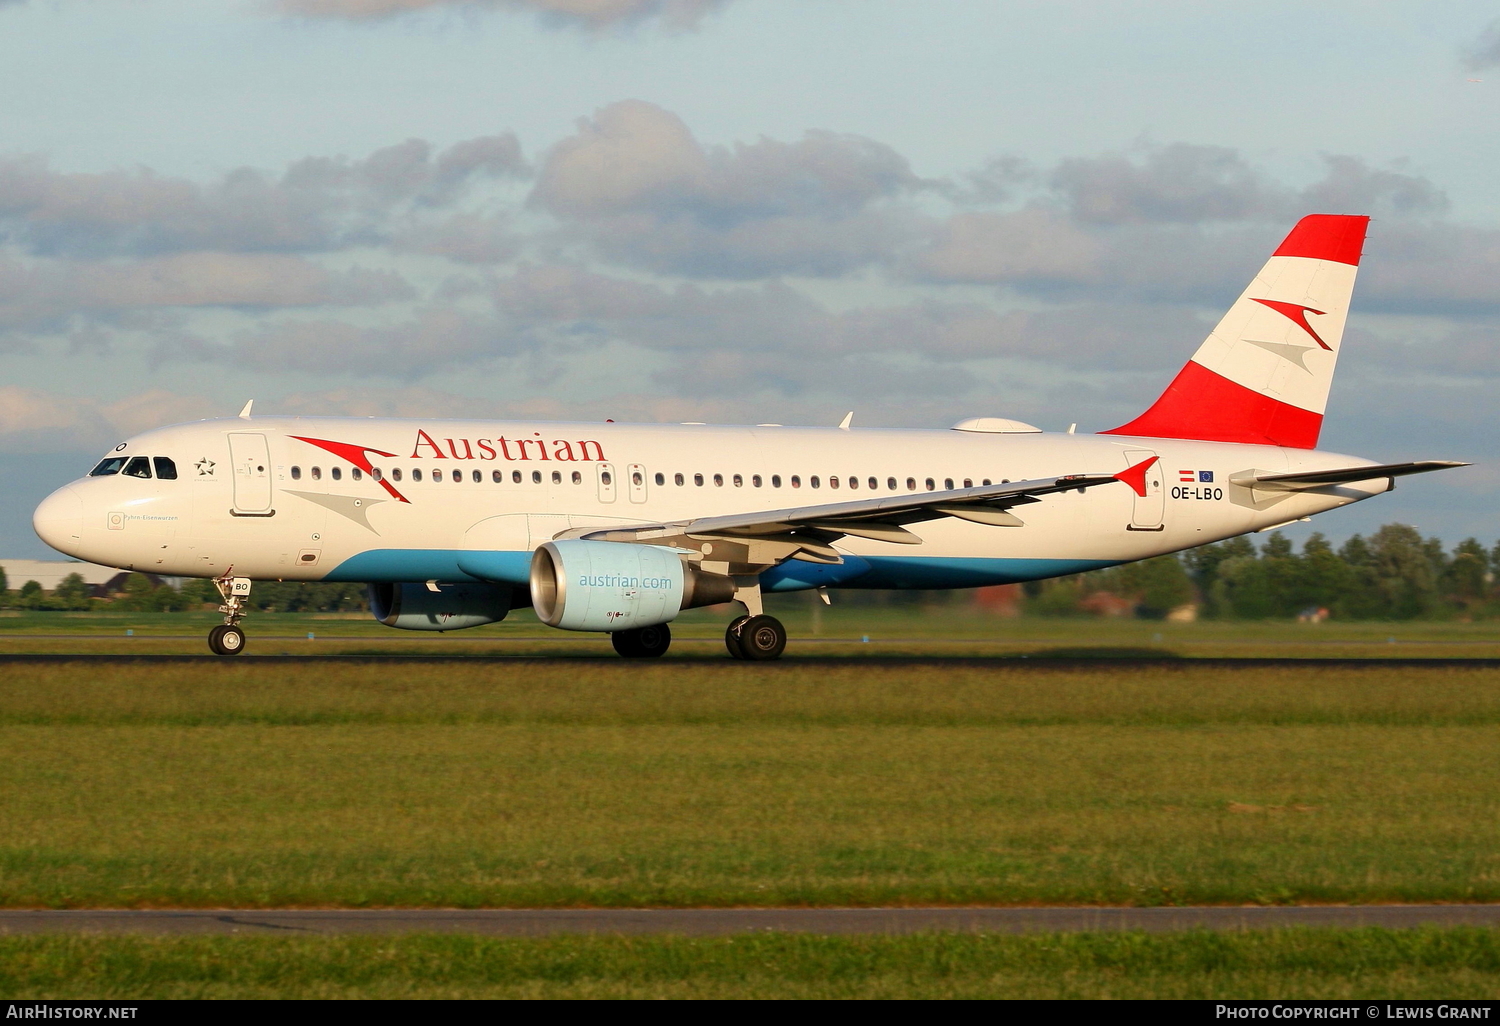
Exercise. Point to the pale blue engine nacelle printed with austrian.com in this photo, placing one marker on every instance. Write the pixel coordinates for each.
(616, 586)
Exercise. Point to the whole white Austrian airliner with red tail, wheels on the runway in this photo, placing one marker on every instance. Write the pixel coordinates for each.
(610, 527)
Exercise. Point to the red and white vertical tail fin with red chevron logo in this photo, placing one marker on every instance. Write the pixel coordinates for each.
(1264, 374)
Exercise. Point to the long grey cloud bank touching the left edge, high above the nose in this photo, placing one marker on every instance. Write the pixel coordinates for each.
(316, 205)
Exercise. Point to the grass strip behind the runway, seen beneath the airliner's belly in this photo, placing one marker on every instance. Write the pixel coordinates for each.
(836, 632)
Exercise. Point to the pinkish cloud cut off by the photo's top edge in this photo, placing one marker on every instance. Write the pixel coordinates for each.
(586, 14)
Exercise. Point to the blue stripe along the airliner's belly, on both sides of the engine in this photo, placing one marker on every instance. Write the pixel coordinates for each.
(854, 572)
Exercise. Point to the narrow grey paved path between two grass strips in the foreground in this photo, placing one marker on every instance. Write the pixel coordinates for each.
(703, 923)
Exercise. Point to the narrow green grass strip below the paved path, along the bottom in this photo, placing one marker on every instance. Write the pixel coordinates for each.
(1367, 964)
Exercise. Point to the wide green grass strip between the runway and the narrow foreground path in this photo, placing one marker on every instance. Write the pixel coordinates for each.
(833, 782)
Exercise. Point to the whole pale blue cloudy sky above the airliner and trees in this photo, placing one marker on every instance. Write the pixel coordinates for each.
(733, 211)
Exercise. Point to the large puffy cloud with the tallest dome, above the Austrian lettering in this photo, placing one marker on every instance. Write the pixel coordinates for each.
(644, 191)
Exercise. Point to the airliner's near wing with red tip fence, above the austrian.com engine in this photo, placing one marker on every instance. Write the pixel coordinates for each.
(808, 532)
